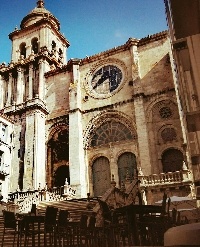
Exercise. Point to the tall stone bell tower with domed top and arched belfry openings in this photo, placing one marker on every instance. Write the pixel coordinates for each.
(37, 47)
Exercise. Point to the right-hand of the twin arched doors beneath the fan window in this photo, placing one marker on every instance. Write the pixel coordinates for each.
(126, 164)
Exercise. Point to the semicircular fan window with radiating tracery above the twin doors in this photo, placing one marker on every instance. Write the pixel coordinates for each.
(111, 131)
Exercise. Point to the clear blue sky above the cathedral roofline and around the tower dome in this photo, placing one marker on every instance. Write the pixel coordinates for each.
(91, 26)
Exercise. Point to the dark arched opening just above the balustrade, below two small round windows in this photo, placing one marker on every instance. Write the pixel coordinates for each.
(172, 160)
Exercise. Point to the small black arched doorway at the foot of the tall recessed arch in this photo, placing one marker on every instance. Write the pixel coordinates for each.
(60, 176)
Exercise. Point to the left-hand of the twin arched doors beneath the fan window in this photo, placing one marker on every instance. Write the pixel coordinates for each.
(101, 175)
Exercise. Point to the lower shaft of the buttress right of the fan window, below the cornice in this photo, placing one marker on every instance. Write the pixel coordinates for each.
(143, 142)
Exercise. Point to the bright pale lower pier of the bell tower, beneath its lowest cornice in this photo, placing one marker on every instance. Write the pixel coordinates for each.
(34, 158)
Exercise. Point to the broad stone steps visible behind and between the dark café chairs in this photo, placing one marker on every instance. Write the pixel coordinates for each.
(75, 207)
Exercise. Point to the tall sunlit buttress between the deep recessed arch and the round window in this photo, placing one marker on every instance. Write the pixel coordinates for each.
(77, 164)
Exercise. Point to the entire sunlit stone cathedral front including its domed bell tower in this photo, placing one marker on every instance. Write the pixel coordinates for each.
(89, 120)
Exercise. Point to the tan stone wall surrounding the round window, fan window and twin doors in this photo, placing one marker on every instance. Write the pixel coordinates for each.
(155, 84)
